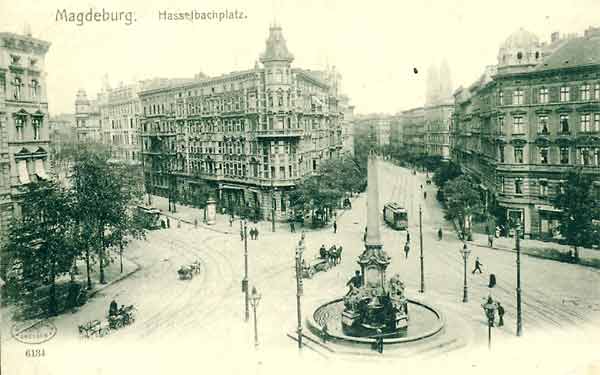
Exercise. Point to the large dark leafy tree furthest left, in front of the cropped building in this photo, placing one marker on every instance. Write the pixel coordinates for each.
(39, 247)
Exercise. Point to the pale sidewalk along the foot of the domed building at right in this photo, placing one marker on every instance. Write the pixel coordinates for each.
(540, 249)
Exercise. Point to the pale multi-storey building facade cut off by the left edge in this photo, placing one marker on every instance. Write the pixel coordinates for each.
(24, 133)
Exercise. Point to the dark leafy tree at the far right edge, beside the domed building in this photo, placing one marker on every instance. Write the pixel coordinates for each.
(578, 208)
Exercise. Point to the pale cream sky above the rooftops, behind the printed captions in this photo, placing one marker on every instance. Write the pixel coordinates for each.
(375, 45)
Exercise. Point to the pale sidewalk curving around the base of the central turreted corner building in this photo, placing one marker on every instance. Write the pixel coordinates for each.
(187, 215)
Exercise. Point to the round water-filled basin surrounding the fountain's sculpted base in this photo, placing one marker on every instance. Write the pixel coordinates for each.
(425, 321)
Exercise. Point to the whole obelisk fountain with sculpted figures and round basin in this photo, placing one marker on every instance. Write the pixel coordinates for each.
(375, 307)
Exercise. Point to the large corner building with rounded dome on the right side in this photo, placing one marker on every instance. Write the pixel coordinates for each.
(528, 121)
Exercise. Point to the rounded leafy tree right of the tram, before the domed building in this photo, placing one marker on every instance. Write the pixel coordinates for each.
(463, 202)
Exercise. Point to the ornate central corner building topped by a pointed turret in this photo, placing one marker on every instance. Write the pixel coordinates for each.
(251, 135)
